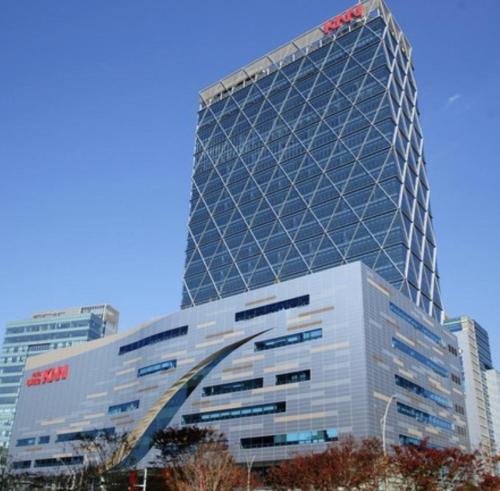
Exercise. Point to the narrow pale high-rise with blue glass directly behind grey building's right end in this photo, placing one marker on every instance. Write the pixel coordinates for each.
(474, 345)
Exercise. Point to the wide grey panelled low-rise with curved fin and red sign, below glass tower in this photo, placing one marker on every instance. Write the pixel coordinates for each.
(280, 370)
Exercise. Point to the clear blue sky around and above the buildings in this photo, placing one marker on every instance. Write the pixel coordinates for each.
(98, 104)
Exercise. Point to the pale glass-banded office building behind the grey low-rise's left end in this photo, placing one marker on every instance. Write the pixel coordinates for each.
(45, 331)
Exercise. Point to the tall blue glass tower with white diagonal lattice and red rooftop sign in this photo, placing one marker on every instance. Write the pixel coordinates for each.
(312, 157)
